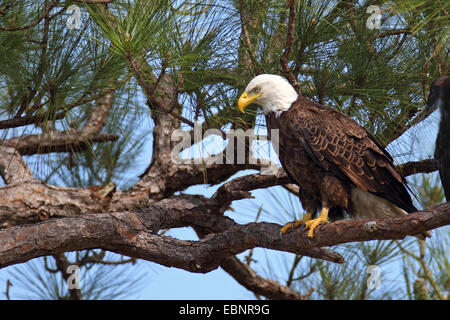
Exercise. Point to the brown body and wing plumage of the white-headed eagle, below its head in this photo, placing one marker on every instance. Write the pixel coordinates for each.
(319, 145)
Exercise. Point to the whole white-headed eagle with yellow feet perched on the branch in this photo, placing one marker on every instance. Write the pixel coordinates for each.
(338, 165)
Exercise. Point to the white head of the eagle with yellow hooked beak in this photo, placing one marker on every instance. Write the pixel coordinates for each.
(272, 92)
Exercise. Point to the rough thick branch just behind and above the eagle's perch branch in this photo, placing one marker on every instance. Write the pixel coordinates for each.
(33, 201)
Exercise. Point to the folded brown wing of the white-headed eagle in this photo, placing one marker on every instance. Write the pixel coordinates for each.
(340, 145)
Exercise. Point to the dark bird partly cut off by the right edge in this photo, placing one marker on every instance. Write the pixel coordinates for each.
(440, 97)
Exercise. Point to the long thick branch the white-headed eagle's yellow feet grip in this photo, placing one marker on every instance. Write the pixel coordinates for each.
(134, 234)
